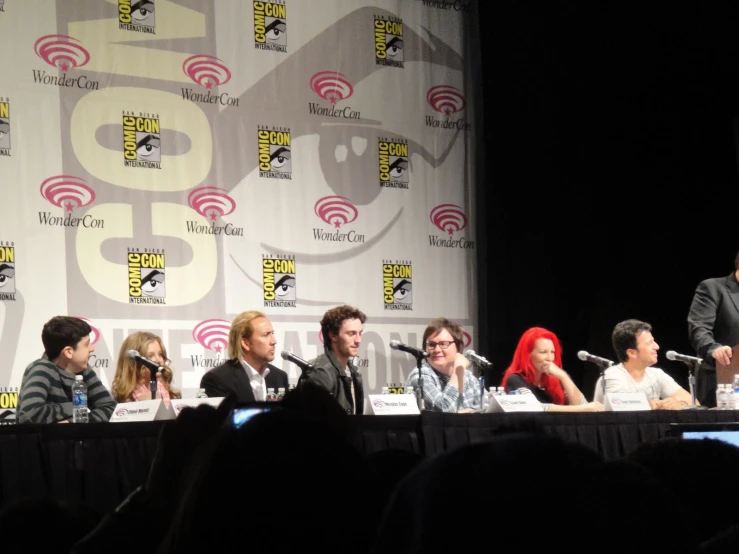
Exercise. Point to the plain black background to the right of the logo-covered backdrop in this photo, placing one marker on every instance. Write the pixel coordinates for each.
(610, 183)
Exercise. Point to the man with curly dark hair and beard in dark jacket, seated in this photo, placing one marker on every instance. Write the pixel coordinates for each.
(333, 370)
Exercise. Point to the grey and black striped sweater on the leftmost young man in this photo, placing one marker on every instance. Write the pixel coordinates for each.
(46, 394)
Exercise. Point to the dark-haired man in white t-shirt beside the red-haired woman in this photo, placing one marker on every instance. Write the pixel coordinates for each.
(636, 349)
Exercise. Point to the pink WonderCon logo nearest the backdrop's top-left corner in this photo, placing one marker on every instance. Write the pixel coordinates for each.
(64, 53)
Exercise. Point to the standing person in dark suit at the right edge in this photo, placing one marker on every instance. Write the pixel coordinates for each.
(713, 324)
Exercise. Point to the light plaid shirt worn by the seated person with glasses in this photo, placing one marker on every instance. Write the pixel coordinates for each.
(438, 397)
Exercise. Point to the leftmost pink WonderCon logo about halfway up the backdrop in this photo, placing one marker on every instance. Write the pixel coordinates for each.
(69, 193)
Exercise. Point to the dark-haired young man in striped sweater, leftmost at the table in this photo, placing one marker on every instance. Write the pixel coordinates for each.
(46, 389)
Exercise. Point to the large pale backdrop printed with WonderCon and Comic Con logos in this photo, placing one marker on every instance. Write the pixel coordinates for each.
(165, 165)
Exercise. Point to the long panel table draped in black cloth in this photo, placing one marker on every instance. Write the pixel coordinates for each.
(100, 463)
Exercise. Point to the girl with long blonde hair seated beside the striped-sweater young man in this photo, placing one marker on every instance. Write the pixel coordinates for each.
(131, 381)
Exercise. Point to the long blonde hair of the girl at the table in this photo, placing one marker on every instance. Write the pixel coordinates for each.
(128, 374)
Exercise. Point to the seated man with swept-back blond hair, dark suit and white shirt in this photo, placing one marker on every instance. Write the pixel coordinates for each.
(247, 373)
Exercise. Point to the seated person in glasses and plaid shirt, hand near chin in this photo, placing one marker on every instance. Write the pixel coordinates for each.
(448, 386)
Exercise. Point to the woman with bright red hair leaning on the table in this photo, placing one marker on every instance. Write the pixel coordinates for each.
(537, 367)
